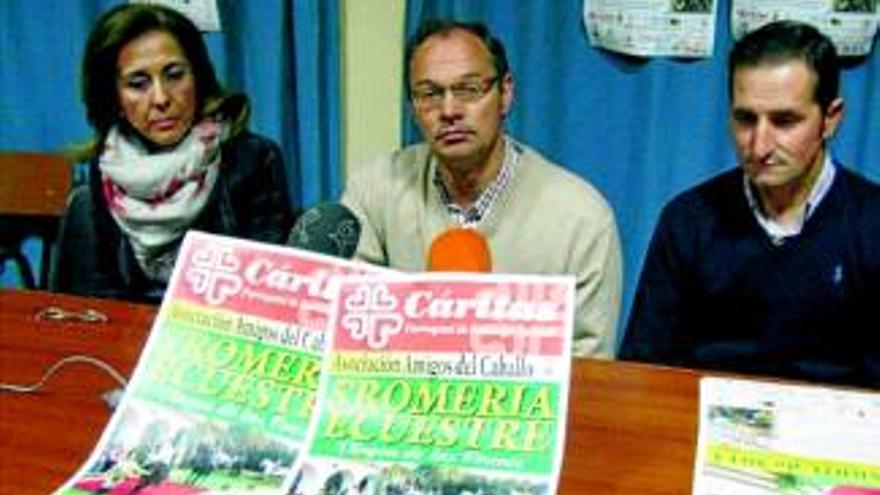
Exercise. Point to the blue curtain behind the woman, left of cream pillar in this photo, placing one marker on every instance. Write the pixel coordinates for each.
(284, 54)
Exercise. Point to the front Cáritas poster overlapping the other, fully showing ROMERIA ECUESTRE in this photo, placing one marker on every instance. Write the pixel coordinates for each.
(442, 383)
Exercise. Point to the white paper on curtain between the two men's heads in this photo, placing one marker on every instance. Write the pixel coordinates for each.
(675, 28)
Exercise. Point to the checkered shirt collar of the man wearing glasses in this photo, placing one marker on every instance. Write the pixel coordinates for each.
(470, 217)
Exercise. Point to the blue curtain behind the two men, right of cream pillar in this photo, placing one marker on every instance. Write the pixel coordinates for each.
(639, 129)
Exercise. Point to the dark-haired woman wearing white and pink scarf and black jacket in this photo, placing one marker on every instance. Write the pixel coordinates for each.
(171, 153)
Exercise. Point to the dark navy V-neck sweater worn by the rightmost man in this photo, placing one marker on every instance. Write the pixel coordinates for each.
(715, 291)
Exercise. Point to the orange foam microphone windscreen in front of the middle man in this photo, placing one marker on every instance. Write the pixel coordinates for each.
(459, 250)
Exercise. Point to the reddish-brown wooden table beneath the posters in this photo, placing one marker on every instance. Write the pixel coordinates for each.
(631, 428)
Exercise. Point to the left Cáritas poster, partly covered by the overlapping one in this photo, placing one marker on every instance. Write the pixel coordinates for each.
(222, 395)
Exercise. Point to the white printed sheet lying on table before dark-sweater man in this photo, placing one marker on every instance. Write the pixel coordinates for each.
(760, 438)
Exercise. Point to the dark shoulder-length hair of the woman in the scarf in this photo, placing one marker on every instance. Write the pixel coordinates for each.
(121, 25)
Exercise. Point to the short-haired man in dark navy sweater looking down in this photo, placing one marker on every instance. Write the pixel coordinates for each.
(774, 267)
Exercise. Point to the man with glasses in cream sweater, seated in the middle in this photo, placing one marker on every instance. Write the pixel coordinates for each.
(537, 217)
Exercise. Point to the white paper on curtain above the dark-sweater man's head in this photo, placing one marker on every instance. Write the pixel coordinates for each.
(851, 24)
